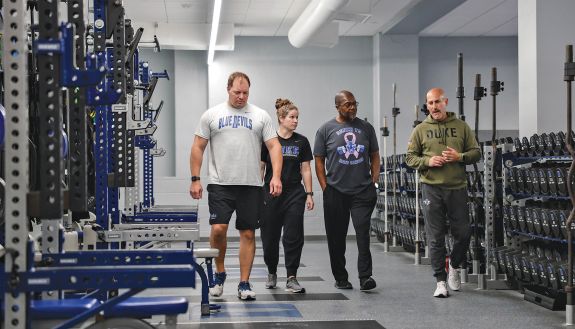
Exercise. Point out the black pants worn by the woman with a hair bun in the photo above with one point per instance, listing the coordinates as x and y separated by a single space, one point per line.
285 211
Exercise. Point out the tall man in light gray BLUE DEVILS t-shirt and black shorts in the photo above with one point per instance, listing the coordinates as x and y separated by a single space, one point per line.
235 130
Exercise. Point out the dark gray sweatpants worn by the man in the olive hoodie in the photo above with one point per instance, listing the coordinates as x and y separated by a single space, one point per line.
439 205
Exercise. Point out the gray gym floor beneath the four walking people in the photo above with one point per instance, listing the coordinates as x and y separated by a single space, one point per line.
402 299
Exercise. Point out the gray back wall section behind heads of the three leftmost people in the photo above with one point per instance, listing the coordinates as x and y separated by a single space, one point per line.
310 77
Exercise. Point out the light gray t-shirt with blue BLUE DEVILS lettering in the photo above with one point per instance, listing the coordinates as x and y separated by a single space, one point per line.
235 140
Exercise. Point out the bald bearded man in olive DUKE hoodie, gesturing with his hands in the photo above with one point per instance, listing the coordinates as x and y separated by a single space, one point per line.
440 148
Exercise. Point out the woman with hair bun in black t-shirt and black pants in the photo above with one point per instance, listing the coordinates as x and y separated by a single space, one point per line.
286 211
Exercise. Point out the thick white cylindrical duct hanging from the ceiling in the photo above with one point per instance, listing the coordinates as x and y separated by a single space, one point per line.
317 15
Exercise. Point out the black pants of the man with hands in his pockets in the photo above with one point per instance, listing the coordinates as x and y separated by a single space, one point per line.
337 208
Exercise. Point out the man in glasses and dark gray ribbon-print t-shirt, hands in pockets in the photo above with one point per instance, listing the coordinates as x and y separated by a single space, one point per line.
347 147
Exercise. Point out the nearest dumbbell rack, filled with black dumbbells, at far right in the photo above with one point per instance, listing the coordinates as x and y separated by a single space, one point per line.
535 214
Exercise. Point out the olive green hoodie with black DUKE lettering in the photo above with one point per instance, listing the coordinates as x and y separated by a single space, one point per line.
432 137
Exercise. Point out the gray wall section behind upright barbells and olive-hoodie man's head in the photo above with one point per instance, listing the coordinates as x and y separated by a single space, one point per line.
438 68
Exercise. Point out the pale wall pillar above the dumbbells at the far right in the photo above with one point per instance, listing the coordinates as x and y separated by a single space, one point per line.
551 23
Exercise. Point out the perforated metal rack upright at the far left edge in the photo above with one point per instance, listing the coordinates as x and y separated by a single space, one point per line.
14 57
